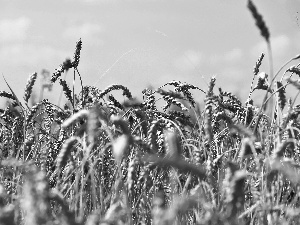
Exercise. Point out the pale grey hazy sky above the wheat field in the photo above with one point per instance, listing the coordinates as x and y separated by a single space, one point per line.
143 43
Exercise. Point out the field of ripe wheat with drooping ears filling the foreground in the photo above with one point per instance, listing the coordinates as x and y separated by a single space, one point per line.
101 159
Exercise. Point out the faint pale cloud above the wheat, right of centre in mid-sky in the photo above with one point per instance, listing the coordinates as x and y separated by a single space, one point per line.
190 60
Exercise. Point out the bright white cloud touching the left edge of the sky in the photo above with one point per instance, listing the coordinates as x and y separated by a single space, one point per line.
14 30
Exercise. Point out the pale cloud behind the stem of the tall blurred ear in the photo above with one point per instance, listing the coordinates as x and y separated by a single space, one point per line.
280 46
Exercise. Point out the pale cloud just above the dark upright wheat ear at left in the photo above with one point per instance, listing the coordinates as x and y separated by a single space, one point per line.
88 32
